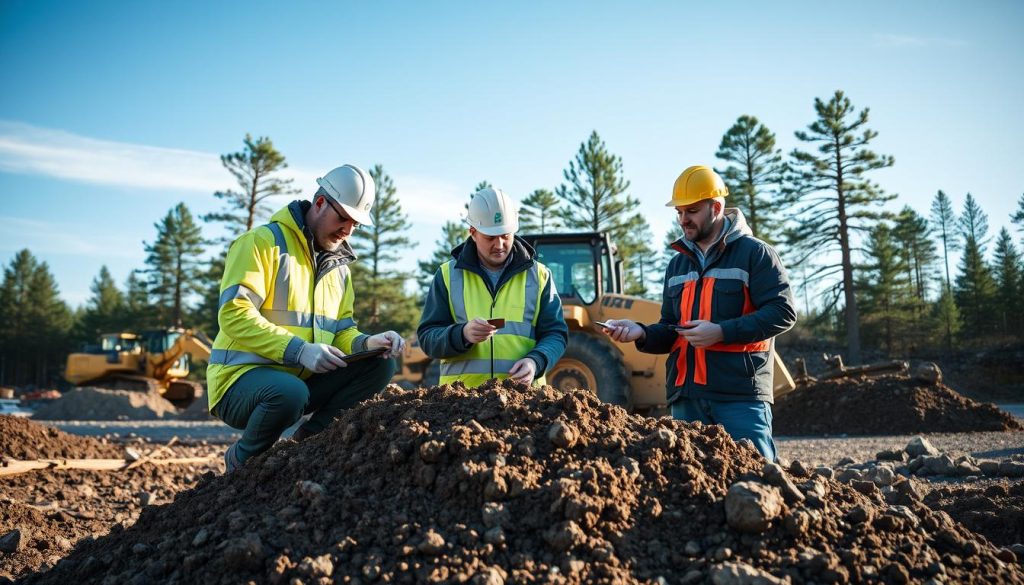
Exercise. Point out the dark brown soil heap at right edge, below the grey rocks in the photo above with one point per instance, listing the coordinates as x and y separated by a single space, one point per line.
996 511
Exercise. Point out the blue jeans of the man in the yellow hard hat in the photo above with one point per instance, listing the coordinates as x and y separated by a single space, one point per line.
744 420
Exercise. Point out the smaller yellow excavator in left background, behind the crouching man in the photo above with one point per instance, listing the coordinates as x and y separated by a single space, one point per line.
157 361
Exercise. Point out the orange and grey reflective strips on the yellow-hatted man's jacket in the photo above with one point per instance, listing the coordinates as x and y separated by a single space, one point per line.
707 284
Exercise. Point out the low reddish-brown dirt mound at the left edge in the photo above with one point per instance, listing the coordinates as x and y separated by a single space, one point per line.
26 440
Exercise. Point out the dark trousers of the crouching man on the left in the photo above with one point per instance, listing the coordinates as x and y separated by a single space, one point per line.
265 402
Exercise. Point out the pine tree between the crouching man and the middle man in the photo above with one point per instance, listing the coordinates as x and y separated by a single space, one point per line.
381 303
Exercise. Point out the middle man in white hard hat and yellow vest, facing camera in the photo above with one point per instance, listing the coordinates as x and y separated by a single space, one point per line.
493 311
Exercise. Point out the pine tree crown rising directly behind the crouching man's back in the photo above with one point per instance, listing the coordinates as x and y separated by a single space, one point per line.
255 170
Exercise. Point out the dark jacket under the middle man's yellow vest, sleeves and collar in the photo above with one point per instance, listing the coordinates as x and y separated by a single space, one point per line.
441 337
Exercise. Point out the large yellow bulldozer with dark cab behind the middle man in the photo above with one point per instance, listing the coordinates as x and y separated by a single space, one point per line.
588 274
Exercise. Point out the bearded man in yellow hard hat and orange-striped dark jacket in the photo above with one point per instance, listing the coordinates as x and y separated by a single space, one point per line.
727 297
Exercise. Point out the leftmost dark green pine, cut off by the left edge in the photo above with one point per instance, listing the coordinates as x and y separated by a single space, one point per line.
36 324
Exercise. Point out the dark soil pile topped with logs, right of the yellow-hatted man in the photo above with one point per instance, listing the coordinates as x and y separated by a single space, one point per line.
890 405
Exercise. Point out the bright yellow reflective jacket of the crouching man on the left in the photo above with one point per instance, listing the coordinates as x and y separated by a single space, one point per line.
272 301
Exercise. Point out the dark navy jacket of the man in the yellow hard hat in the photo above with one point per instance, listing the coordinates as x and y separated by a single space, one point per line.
745 270
